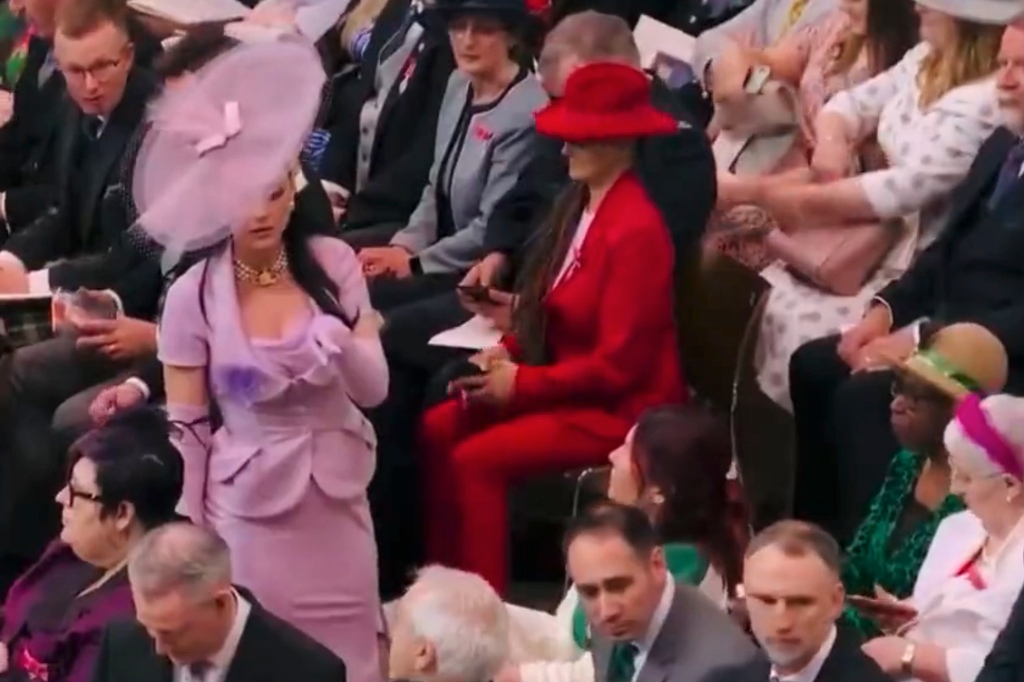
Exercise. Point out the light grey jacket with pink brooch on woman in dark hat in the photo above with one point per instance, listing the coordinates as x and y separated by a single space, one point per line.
497 148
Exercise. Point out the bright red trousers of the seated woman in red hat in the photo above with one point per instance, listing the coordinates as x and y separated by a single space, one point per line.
473 457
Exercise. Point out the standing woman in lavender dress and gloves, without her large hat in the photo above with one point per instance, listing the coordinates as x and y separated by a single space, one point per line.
276 329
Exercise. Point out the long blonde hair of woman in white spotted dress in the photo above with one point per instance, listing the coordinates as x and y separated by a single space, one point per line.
974 58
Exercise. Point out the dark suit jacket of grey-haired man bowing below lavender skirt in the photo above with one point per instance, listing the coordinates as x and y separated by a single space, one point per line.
271 651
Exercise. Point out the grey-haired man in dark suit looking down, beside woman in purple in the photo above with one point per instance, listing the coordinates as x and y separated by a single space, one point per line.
195 626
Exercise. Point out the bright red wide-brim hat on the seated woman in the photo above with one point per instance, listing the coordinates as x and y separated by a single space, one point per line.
605 102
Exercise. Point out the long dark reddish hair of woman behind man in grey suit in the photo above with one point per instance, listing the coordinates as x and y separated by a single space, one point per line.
686 452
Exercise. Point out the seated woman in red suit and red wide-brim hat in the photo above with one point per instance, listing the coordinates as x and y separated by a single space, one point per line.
595 337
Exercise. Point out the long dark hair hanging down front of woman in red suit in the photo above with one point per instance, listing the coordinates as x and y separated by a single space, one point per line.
544 260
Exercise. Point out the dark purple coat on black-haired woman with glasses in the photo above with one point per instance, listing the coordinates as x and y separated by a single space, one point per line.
66 654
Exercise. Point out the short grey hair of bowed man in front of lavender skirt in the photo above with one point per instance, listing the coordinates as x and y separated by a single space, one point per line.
180 558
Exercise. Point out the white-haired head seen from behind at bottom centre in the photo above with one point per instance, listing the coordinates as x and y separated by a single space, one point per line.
450 626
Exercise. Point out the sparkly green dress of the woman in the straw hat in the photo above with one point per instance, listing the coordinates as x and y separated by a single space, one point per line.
874 559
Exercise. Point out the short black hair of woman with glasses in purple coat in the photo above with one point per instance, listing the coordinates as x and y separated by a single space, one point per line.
136 463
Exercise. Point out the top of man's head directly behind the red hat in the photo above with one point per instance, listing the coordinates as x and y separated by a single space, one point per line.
585 38
